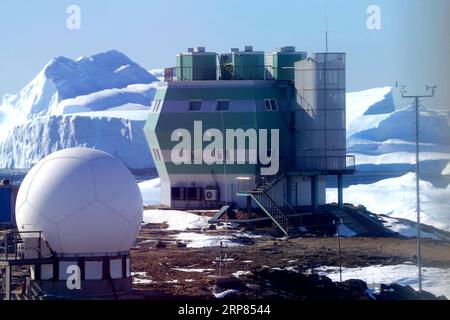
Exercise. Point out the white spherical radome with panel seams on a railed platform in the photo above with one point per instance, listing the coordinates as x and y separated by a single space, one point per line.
83 200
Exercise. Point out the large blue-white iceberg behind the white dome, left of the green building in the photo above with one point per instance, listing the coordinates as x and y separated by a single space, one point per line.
100 101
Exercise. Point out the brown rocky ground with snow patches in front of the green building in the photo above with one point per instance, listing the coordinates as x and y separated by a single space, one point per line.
270 267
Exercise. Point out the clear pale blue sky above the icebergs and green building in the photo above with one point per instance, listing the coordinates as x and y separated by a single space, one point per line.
412 45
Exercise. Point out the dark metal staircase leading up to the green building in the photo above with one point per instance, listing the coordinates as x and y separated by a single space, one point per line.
283 215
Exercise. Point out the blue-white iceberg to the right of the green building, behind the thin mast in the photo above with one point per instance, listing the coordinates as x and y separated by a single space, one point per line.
383 137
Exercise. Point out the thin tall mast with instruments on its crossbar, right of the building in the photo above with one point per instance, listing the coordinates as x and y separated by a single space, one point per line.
417 103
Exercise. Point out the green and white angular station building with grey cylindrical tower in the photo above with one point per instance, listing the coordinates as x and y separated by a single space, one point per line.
251 129
